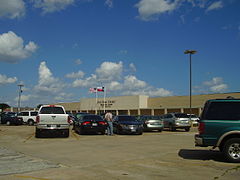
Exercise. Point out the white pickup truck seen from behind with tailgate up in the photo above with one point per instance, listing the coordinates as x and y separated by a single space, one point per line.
52 118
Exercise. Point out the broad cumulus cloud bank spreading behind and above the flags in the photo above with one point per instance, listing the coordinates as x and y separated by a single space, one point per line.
110 75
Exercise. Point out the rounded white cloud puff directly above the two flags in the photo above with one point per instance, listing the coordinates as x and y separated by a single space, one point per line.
109 71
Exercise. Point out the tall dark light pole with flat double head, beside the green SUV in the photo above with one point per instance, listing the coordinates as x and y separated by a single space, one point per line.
190 52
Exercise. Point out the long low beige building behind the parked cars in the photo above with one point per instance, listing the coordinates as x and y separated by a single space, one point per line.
143 105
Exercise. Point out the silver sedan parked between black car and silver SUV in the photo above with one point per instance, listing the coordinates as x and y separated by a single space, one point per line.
151 123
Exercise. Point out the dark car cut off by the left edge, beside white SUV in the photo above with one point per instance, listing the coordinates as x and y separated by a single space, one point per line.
10 118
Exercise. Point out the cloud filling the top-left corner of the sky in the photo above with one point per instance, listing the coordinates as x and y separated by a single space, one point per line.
12 9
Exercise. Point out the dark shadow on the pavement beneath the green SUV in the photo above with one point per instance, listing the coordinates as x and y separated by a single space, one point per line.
204 155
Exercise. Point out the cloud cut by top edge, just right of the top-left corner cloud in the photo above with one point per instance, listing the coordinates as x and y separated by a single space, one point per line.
49 6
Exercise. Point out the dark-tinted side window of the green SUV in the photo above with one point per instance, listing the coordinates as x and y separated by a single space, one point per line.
222 111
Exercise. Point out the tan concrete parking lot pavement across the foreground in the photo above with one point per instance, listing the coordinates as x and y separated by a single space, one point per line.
153 155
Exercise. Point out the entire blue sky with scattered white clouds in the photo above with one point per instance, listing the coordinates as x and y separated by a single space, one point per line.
58 49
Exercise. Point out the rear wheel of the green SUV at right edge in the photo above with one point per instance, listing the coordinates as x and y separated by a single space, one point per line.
231 150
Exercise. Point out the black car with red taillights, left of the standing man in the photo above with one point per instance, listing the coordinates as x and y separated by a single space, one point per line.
90 123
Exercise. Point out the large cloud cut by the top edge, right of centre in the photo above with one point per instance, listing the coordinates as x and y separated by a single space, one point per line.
150 9
